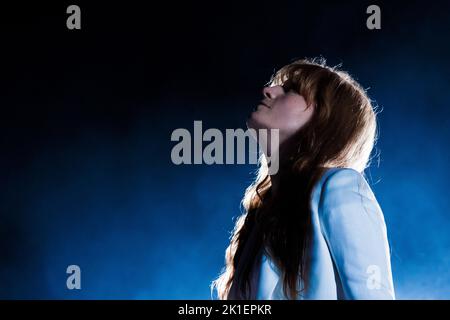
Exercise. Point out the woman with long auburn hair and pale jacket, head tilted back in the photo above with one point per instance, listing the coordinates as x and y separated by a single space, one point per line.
313 229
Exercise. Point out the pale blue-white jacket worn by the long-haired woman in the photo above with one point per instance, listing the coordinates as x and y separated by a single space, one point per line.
350 256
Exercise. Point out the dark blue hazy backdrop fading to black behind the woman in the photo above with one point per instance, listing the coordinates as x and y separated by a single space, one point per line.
86 117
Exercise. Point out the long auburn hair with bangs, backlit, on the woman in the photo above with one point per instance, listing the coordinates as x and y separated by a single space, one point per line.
340 133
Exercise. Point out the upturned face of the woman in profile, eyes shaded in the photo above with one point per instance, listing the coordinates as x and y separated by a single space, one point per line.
280 109
